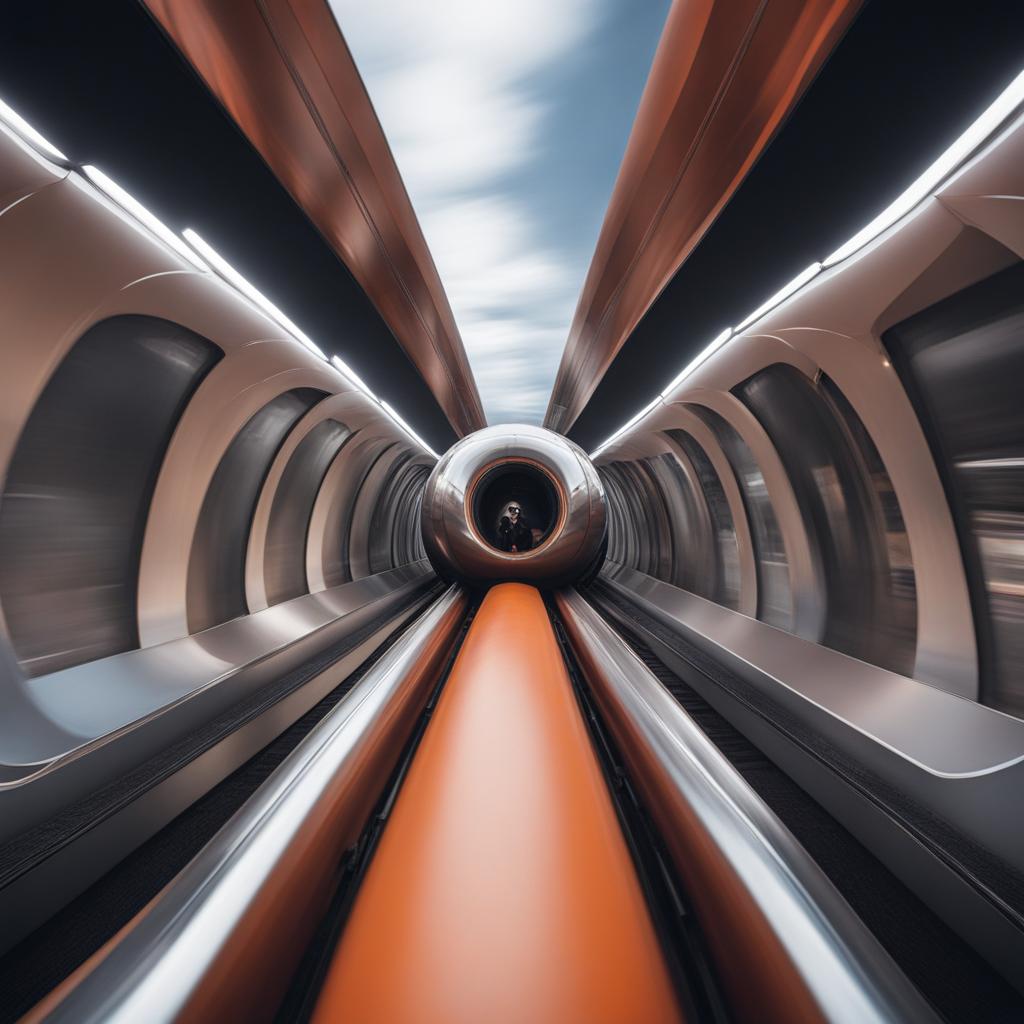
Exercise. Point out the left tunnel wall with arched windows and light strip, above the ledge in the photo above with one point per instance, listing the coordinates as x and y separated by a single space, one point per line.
172 458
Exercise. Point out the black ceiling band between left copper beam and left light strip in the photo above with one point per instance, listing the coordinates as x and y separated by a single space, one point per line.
105 84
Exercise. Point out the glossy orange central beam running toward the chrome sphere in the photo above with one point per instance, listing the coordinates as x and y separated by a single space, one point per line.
502 890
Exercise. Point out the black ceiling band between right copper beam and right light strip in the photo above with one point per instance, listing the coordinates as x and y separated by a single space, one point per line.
903 84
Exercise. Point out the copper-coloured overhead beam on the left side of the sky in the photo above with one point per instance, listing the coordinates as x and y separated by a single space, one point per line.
283 72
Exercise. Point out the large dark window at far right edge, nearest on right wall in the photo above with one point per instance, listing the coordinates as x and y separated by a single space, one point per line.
963 362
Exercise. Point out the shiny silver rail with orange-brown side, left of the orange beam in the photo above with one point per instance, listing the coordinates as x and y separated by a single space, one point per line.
223 940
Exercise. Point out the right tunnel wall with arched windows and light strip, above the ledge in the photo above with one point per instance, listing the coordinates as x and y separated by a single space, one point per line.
847 467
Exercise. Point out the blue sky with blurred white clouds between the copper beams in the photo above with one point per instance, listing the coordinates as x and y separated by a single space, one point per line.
508 122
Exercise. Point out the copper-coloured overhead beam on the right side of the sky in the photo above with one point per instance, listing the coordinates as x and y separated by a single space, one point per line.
724 78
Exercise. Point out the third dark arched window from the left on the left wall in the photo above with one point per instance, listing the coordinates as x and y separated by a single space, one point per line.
285 551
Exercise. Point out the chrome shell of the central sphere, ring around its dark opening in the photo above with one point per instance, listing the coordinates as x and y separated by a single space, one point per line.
456 544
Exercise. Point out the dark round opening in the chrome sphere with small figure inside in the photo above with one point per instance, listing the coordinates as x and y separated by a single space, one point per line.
516 506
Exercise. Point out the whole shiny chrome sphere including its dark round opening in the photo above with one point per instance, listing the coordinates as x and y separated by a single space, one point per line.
515 502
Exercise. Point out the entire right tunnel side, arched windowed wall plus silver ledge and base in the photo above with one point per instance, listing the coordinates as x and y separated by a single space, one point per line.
829 505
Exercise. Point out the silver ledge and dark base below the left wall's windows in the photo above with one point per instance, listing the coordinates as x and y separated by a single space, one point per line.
91 730
